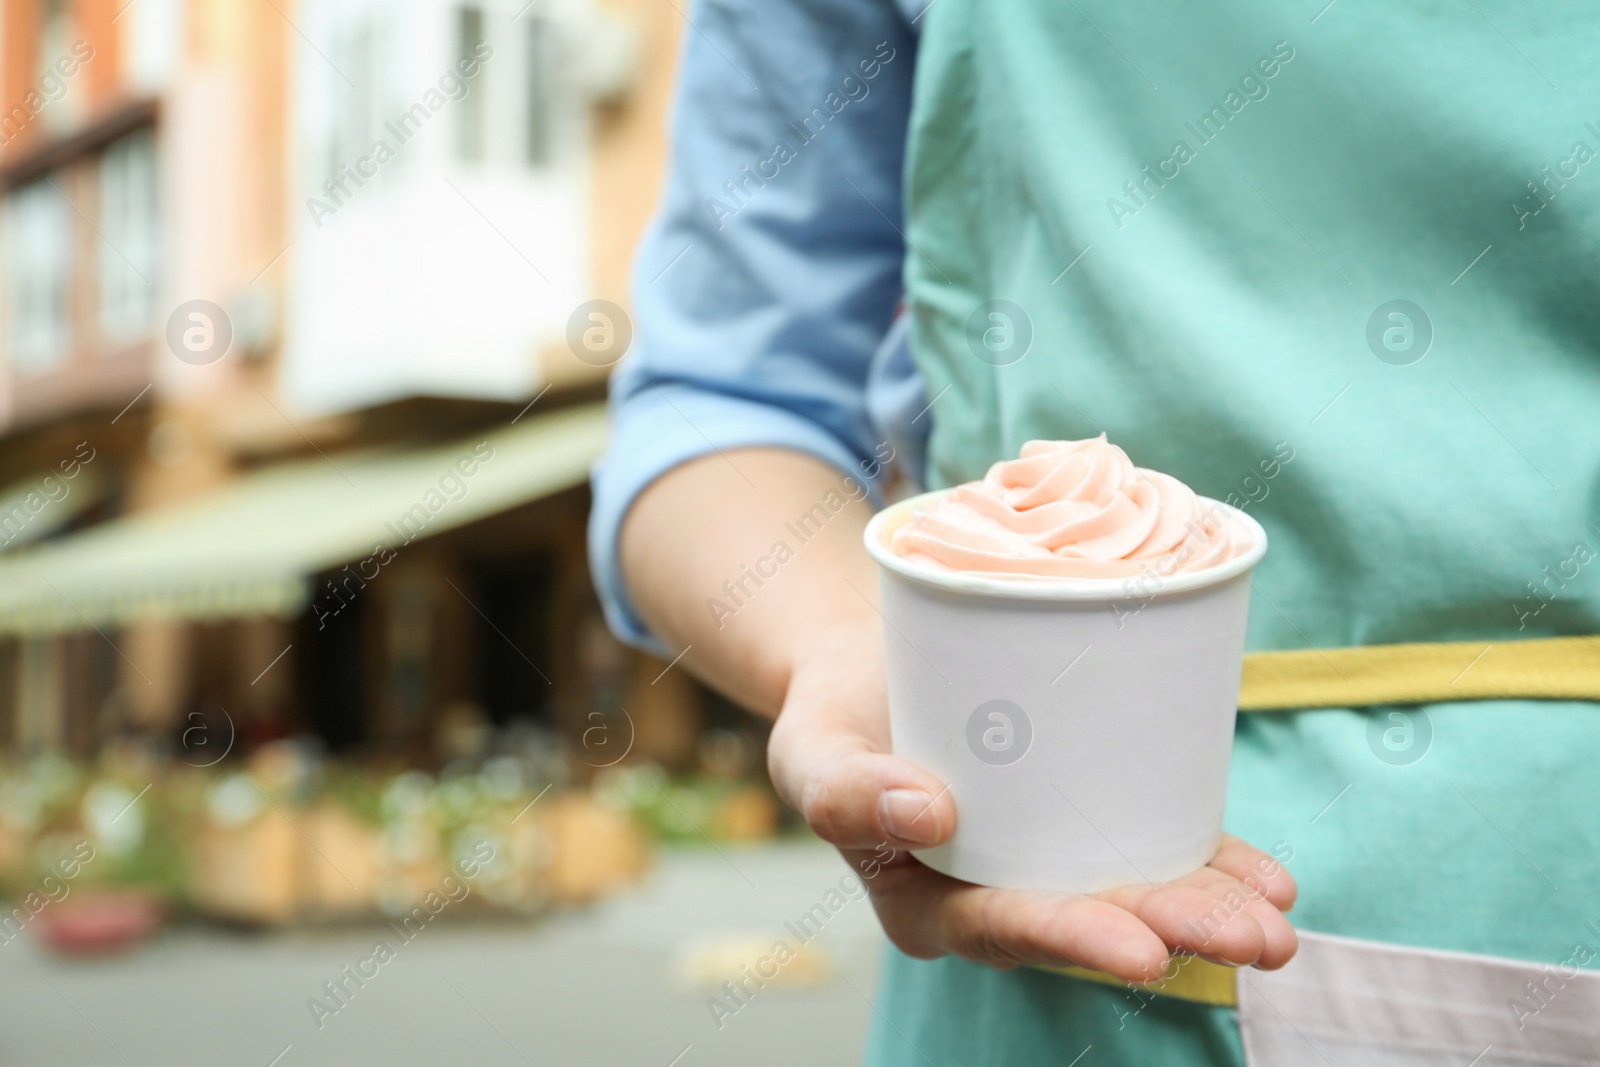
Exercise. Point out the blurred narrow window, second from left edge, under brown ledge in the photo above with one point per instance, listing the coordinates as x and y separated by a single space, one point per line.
129 230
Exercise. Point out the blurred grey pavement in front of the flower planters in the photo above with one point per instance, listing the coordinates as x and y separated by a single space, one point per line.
580 989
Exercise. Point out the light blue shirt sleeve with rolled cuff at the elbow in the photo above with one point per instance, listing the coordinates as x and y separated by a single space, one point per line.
772 273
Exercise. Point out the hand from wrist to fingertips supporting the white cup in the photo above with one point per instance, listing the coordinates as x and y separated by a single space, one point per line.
830 759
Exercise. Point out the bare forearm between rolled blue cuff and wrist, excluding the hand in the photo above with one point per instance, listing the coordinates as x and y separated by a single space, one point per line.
750 559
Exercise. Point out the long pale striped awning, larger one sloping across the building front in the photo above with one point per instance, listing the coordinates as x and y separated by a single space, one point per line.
254 546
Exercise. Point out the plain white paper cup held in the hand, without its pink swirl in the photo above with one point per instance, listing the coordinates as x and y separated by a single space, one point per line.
1084 725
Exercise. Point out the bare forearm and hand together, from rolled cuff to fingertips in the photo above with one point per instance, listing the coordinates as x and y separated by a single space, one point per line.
806 644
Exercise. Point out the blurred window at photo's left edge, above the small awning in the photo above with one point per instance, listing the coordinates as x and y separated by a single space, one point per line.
39 270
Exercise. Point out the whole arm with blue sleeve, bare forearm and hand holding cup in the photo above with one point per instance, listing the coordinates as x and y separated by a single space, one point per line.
738 412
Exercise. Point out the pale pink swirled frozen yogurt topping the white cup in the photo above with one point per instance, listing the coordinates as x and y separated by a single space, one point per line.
1073 510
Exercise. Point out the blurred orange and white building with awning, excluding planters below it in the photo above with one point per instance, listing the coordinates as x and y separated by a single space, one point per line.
306 310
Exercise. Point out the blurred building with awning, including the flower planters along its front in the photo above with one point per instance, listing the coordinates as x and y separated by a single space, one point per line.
306 313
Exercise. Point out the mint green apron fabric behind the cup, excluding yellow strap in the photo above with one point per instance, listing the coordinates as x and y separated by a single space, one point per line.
1231 313
